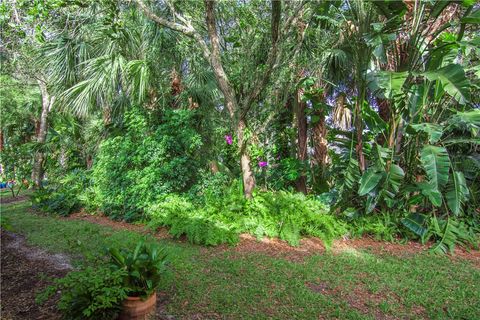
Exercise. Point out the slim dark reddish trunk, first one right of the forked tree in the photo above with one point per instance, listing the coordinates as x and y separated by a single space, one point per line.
301 183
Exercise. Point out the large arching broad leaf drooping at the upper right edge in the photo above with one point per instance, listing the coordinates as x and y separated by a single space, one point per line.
455 83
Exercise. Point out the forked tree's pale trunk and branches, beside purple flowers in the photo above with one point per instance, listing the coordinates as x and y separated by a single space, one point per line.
238 105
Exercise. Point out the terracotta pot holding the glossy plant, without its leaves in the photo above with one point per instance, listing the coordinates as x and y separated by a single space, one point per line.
134 308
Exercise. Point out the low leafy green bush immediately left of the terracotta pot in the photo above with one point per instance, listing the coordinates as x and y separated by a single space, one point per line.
93 293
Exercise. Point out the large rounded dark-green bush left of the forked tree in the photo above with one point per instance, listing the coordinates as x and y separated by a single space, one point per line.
146 162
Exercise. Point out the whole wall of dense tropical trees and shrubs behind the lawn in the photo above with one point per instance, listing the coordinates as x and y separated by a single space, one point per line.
279 119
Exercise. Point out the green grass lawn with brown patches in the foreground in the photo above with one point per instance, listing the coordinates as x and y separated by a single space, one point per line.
210 284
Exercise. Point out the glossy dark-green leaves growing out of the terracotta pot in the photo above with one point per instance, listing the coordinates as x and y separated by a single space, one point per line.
144 267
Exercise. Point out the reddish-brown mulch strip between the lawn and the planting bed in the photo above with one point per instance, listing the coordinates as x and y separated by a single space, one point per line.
281 249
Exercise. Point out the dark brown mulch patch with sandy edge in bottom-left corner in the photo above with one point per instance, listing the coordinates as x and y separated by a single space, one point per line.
24 272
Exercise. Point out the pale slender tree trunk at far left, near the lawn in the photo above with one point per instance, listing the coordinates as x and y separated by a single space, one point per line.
38 169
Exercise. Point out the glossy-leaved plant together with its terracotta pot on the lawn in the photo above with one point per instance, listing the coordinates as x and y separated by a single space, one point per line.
143 273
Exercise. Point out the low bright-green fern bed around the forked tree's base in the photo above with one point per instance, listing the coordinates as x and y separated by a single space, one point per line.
221 219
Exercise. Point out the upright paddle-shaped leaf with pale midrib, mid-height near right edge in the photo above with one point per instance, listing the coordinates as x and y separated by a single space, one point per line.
436 162
